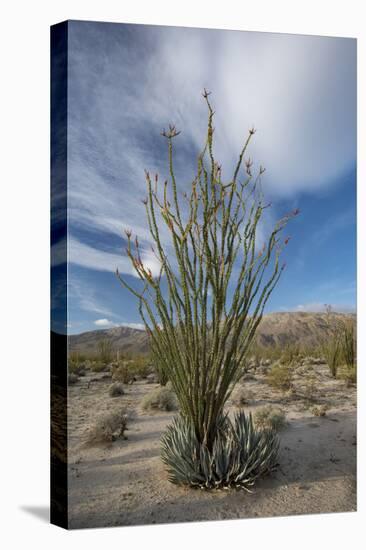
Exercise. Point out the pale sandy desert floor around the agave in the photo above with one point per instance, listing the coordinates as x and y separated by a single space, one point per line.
125 483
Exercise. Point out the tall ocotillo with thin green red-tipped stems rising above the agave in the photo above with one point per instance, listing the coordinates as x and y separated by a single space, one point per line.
214 276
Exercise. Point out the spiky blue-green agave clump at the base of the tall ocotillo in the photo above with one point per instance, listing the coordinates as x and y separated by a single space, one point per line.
240 453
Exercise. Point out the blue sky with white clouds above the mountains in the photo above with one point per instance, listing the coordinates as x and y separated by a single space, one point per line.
127 82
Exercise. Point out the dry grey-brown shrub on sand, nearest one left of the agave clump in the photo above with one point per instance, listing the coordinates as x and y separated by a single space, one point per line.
108 427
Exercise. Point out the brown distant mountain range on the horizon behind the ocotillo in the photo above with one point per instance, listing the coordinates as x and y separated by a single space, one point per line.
275 329
